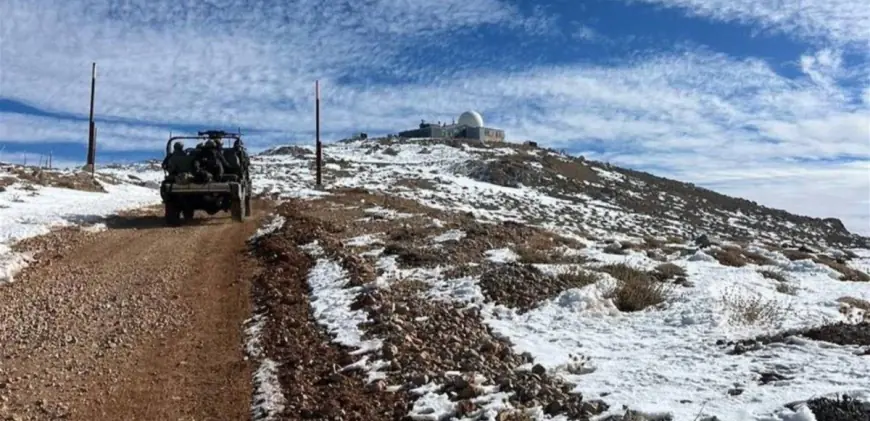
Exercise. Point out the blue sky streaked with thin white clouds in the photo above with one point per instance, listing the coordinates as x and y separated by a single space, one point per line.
764 99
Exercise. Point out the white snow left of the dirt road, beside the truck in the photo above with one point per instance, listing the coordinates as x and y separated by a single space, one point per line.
31 211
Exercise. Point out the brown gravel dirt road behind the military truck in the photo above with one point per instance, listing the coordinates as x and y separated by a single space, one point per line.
138 322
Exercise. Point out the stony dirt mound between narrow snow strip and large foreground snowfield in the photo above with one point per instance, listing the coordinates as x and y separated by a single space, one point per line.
426 350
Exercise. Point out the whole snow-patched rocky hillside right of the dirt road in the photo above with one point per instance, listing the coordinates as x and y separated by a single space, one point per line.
432 280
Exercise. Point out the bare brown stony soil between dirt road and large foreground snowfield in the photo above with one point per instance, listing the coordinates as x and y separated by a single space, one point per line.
420 337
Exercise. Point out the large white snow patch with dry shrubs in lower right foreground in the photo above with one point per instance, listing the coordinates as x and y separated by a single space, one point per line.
673 353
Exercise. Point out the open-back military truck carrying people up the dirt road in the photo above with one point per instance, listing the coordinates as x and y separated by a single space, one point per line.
183 194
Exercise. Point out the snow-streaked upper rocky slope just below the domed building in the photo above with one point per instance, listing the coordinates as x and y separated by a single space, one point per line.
544 186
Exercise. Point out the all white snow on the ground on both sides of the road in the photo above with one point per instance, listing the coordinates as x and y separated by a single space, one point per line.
662 360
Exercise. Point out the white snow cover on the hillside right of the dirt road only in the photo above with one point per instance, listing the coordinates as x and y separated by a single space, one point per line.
671 360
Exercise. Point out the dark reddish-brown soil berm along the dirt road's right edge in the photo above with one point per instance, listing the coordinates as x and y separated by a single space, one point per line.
313 386
